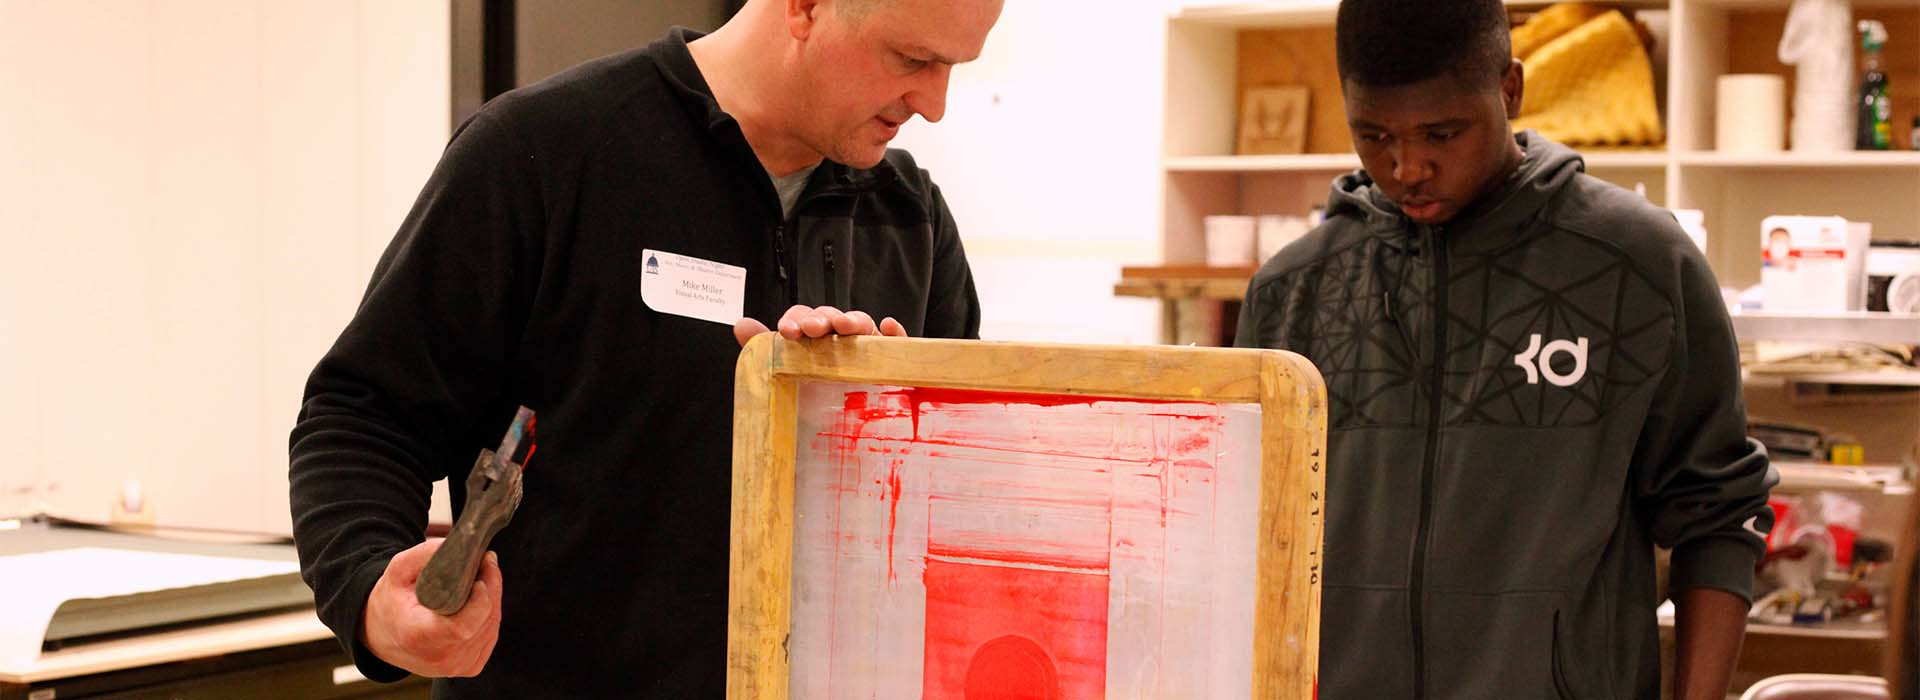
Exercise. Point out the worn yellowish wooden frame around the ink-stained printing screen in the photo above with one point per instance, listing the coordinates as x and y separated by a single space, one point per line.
1293 434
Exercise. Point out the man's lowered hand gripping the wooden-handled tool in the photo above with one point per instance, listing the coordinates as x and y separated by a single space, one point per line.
400 632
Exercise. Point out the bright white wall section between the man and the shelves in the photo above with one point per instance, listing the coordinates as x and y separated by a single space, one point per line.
1049 158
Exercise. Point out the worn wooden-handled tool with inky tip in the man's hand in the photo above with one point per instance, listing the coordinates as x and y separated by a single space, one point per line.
492 496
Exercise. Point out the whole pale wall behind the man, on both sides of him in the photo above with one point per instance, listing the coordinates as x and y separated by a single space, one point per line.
193 195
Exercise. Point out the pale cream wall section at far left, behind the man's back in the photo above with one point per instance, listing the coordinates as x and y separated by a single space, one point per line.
193 195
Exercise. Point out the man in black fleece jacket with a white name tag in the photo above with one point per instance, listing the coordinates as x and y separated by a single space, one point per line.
517 281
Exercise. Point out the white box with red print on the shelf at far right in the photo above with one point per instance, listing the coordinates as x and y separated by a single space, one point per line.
1813 264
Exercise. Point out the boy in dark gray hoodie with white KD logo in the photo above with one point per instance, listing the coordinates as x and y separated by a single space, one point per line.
1533 383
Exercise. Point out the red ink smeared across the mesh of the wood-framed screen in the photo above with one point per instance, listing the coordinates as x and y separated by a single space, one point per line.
1020 509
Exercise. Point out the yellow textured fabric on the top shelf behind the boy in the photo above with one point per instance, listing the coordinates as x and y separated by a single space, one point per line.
1593 87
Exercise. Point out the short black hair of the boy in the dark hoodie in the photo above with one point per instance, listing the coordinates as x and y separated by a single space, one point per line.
1393 43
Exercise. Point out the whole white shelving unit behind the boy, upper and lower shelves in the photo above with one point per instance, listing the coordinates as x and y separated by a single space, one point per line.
1696 43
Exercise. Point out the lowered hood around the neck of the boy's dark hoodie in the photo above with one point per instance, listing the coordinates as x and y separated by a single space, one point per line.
1547 170
